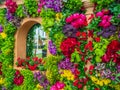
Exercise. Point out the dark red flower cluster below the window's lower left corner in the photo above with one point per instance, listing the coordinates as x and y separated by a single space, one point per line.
18 78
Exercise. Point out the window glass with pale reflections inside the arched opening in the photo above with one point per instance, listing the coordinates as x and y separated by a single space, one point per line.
36 42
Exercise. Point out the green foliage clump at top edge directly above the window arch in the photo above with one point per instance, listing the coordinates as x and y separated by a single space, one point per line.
31 6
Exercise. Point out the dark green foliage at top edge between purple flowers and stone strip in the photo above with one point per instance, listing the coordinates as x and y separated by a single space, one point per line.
73 5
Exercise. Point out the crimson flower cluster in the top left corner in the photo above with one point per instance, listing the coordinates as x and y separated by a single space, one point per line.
12 6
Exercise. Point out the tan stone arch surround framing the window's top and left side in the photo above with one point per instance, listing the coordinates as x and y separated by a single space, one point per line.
20 38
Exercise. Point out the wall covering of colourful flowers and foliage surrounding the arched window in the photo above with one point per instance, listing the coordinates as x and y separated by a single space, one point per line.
84 56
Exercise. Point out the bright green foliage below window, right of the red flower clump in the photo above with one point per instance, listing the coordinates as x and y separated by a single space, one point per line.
28 83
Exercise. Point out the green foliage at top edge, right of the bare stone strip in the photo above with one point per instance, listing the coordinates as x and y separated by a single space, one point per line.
102 3
